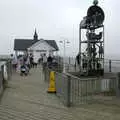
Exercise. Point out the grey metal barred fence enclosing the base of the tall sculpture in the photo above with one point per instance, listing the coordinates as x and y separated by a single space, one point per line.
75 91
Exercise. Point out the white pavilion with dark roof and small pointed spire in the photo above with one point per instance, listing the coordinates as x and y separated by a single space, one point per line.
35 46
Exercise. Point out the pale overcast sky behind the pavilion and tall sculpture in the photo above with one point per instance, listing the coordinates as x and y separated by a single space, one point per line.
55 19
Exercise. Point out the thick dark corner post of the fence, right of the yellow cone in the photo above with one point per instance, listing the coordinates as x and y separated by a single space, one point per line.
68 91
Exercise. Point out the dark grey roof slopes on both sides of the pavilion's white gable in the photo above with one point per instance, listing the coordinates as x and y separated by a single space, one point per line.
23 44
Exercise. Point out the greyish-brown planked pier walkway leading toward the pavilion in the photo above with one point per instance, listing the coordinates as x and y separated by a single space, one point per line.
26 99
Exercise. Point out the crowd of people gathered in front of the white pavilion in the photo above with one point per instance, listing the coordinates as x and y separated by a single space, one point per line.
23 63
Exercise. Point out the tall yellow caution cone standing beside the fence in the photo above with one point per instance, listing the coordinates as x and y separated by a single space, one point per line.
51 88
